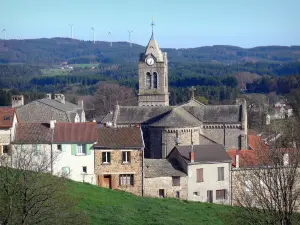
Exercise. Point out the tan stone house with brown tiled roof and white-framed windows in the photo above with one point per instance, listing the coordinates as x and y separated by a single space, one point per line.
119 155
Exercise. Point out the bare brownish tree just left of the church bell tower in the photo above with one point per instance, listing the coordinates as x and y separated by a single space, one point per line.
108 94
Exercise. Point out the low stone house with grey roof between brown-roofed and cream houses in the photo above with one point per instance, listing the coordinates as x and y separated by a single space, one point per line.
164 179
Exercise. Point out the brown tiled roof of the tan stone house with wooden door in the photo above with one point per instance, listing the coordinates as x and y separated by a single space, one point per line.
122 137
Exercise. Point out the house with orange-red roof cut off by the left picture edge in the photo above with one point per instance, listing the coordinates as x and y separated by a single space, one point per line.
8 121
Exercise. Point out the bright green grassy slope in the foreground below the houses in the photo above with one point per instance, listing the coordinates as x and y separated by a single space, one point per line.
105 206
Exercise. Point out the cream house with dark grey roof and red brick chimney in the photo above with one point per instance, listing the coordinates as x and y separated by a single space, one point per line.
208 169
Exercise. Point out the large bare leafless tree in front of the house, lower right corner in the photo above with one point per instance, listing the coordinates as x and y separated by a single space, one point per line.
266 185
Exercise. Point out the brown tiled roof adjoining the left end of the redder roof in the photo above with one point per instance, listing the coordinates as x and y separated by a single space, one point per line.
33 133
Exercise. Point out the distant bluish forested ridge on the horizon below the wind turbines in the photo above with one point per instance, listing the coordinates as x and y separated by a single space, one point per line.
56 50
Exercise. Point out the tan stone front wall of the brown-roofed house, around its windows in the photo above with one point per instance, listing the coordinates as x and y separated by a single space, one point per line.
116 167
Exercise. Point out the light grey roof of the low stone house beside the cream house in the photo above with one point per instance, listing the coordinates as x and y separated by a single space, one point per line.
161 168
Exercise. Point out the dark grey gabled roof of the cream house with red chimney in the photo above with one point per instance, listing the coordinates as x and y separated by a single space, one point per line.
204 153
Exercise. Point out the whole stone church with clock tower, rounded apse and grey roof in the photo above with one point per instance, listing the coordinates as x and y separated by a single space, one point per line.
165 126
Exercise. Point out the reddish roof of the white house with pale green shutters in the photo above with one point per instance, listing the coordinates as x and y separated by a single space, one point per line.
75 133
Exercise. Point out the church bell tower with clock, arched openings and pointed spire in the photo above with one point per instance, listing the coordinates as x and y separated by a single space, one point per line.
153 75
